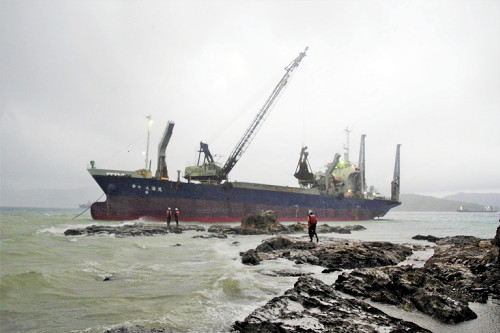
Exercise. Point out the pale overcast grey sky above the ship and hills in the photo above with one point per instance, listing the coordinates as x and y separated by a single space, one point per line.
78 78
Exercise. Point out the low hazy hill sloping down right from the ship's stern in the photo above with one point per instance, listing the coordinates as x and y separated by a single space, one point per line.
416 203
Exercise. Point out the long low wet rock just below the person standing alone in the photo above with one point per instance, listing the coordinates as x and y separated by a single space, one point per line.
333 254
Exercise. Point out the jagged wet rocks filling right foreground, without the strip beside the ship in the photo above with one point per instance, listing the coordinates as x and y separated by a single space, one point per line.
463 269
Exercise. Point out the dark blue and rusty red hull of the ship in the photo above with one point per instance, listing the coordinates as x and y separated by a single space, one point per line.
148 199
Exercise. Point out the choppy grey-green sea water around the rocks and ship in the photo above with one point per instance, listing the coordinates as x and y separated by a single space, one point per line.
53 283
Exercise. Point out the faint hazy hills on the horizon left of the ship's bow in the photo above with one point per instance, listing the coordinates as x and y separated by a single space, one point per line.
49 198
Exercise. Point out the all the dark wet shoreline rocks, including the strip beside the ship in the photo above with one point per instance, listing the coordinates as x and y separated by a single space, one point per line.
462 269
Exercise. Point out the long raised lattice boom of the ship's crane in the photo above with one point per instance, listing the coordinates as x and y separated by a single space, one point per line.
252 130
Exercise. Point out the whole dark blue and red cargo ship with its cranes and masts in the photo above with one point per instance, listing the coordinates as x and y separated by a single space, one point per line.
206 195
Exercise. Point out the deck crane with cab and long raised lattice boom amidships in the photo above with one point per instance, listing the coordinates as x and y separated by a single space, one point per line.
209 171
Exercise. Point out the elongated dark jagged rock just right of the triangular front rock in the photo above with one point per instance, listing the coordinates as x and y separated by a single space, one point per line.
409 288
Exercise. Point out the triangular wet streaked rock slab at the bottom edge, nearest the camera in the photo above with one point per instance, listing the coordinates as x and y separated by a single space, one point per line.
312 306
